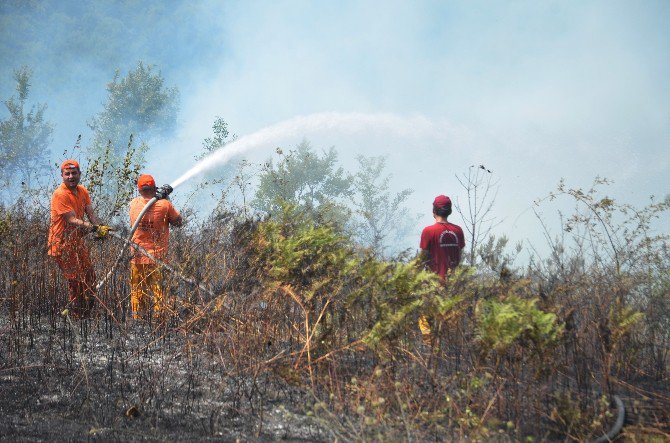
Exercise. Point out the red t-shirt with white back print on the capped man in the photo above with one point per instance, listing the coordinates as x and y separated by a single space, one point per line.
444 242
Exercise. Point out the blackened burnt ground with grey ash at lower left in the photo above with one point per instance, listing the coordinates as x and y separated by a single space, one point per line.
64 380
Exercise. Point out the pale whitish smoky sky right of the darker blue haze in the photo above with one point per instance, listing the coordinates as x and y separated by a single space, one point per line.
536 91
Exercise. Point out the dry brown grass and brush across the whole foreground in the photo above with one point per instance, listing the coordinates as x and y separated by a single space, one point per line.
267 358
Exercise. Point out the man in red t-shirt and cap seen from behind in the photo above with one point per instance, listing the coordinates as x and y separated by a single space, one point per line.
441 245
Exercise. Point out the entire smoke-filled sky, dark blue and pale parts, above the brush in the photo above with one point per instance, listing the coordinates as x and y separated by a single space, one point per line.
494 99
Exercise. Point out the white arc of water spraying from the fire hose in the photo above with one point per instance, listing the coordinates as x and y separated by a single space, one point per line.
345 123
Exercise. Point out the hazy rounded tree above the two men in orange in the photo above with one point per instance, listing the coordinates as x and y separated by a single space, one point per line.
139 104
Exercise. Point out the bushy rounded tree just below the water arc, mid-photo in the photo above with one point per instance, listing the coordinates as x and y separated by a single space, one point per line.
311 181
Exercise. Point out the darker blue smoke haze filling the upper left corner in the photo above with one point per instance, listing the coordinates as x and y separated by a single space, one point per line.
74 50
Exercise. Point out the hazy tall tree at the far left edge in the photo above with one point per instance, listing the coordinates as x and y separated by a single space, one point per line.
24 136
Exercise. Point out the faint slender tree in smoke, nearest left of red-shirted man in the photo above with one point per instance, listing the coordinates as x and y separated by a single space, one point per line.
383 218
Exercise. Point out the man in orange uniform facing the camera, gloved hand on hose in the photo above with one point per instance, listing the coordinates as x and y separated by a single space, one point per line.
70 202
